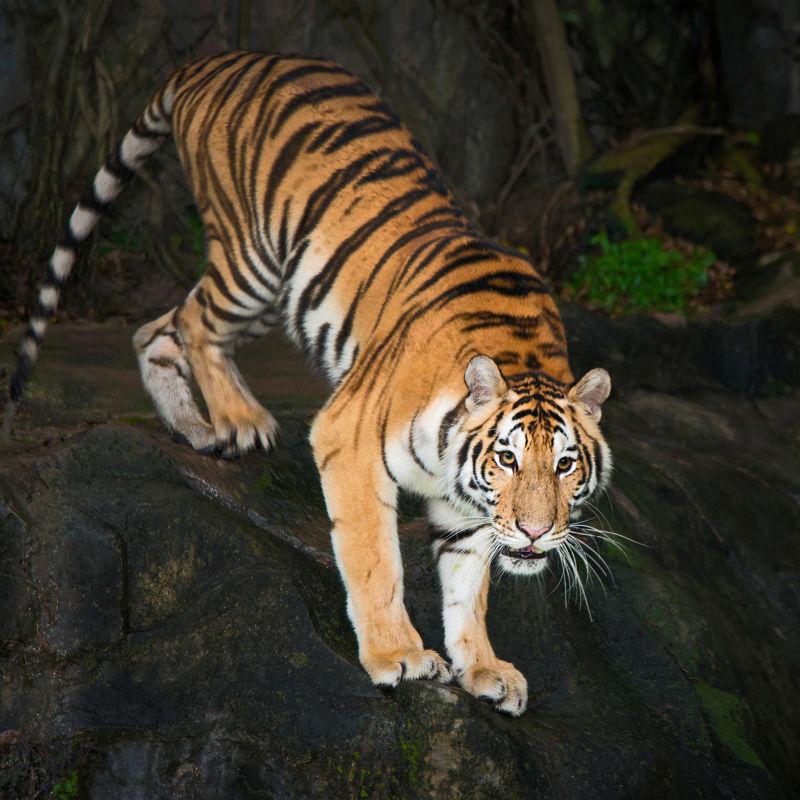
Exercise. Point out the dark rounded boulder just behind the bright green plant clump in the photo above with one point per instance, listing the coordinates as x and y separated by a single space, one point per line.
710 219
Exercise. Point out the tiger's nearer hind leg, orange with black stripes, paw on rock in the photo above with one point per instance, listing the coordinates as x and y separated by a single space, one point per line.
210 323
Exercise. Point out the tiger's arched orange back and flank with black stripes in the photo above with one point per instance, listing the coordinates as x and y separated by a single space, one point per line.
321 208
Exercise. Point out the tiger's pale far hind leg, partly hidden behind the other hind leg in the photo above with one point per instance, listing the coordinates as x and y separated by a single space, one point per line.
166 376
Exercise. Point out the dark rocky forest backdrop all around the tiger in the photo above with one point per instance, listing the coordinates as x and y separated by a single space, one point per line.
172 625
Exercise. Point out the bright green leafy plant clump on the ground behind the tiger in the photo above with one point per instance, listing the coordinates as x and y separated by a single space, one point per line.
636 275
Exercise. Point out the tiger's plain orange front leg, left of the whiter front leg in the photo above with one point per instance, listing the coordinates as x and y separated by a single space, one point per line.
365 545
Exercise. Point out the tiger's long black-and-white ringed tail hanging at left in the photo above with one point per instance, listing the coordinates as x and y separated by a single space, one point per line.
144 138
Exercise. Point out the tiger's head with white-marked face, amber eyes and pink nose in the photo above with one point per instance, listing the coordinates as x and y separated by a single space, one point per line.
531 454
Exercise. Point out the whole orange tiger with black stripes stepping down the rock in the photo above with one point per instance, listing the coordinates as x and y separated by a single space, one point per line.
445 351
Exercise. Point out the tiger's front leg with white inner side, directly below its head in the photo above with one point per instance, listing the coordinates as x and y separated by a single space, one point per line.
464 569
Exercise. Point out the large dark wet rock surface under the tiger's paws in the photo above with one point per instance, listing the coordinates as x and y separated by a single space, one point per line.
173 625
